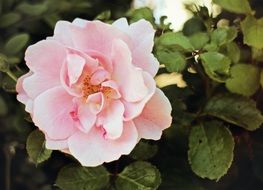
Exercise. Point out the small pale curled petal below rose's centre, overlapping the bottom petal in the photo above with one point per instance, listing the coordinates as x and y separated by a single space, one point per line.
111 118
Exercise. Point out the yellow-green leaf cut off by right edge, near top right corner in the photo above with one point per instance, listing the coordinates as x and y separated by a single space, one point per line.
252 29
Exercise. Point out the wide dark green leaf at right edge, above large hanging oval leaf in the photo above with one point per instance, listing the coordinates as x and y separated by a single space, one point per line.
235 109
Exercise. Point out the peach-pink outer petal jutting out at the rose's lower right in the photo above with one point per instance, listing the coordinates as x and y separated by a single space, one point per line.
155 117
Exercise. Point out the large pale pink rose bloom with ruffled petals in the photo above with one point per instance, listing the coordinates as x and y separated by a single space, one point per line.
90 89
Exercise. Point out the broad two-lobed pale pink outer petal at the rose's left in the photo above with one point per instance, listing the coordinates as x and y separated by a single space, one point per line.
44 59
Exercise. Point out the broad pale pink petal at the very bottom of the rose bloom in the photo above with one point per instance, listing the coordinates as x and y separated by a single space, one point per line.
93 149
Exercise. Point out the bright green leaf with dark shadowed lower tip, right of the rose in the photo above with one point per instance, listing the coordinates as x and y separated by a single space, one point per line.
216 65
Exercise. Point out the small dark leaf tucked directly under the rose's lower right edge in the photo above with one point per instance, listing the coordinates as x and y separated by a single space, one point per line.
144 151
